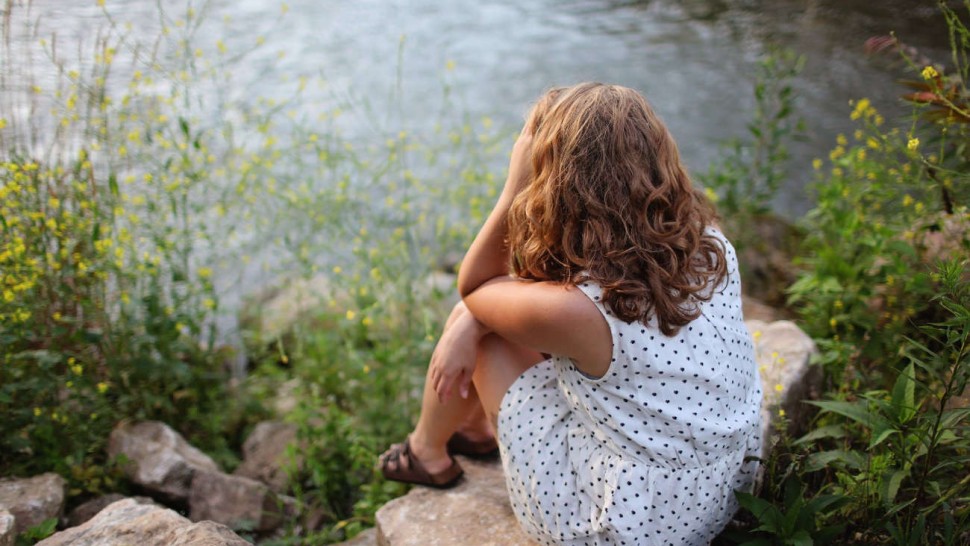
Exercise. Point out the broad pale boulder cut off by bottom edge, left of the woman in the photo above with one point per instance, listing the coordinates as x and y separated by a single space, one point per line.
127 523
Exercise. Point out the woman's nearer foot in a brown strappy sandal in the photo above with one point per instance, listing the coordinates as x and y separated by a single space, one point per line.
413 462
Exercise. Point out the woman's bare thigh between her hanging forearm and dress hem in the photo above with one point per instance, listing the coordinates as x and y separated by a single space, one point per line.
499 363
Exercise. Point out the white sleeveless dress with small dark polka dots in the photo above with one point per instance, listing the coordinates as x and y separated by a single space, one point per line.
648 454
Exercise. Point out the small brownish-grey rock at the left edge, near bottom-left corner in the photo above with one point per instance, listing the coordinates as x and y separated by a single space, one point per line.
31 501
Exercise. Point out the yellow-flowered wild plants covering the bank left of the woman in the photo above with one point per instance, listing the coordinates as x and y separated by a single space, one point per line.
151 195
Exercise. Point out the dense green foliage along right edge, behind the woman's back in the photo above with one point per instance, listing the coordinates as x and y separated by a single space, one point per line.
884 292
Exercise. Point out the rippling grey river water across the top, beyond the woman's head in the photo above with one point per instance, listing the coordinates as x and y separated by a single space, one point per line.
693 59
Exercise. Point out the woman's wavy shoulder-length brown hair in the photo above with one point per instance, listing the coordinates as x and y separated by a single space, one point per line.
610 202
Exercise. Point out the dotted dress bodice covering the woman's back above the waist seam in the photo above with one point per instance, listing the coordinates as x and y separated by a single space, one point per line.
675 401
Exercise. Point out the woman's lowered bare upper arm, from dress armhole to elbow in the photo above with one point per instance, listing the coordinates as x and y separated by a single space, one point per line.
546 317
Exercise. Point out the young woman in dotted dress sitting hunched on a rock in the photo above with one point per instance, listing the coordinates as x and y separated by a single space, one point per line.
612 362
